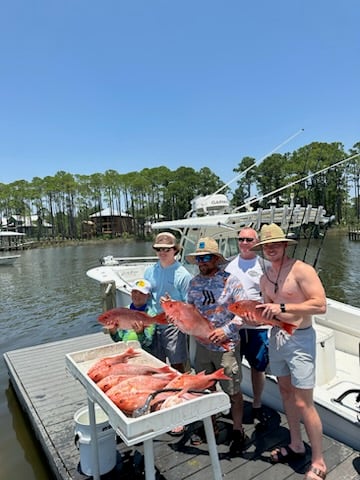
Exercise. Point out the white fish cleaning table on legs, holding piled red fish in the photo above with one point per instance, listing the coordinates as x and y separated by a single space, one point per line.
147 427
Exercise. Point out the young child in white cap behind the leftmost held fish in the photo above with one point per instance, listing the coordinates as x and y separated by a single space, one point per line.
140 296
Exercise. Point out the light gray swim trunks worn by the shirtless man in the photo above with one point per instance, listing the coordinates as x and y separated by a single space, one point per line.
293 355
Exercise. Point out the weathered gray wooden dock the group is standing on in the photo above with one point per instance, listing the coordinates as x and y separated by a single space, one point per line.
50 396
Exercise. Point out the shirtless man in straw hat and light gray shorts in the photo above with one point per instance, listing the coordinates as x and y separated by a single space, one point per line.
293 292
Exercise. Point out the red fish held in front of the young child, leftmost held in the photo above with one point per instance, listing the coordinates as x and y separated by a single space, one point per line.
124 318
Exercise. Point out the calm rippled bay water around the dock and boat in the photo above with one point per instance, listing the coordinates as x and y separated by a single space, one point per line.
46 296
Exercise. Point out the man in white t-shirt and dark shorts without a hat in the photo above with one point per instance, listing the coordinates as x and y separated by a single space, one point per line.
249 268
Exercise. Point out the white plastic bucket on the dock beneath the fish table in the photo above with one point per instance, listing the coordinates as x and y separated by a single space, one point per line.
106 441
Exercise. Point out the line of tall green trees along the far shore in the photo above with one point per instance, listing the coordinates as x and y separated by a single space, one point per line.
67 200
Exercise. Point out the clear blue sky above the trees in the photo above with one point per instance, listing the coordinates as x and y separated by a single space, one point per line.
88 86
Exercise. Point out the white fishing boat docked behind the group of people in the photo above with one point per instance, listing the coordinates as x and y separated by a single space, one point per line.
337 393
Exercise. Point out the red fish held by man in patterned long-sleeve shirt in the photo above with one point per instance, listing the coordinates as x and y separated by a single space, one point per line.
189 320
